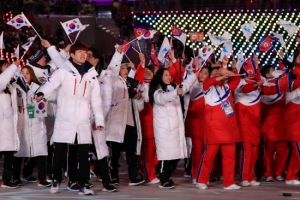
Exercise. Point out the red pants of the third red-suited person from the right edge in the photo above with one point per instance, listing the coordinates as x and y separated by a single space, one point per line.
248 157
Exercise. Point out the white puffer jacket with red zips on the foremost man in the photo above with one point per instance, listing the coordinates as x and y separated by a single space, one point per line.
76 95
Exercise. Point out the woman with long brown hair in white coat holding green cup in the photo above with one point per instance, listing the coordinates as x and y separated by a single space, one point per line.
32 133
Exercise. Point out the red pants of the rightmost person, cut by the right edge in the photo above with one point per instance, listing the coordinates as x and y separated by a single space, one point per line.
294 164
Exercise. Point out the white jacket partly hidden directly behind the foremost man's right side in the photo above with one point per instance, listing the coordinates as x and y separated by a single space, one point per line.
106 96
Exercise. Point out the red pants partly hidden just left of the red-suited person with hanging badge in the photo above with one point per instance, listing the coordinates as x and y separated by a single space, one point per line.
197 151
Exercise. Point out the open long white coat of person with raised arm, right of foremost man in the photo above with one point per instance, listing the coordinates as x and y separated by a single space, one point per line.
117 116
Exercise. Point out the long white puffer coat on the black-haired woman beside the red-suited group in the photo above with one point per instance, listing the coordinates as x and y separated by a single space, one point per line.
168 122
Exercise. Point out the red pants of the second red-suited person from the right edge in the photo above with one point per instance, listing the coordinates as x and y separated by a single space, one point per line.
275 167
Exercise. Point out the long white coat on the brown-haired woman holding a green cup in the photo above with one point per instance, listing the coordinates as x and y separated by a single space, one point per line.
32 132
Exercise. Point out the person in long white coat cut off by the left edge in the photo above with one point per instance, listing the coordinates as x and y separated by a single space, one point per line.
9 141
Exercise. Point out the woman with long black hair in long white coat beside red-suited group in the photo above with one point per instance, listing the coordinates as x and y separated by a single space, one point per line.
168 122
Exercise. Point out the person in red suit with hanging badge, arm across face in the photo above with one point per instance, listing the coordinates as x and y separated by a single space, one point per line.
221 126
